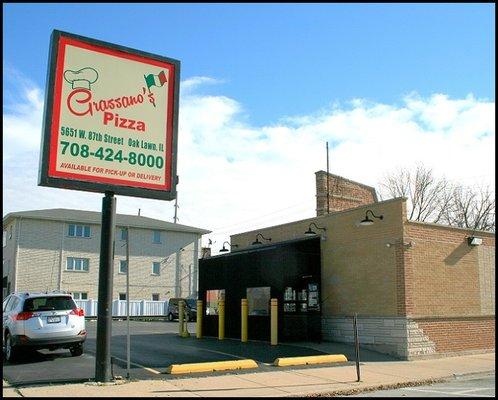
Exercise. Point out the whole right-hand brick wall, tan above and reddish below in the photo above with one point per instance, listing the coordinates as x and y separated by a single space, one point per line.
450 287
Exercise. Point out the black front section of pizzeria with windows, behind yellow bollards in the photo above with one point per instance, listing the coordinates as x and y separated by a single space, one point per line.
288 271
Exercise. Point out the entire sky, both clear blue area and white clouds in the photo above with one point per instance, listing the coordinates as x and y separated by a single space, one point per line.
263 87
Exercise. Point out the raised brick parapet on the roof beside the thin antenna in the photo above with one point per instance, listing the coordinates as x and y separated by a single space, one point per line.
343 193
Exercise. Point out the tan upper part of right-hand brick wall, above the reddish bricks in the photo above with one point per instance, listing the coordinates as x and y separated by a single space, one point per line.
445 274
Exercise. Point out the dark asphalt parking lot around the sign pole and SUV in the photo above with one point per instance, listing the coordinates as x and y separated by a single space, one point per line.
154 347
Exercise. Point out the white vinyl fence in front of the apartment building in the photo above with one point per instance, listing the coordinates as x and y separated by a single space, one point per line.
138 308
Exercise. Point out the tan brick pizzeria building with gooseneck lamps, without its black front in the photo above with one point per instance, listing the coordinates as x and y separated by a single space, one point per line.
419 289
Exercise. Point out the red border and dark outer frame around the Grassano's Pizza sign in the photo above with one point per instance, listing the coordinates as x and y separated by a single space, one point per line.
47 174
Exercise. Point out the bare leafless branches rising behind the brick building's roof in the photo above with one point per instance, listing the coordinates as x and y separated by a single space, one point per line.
432 199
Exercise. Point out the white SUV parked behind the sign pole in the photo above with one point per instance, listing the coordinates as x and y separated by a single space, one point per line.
42 321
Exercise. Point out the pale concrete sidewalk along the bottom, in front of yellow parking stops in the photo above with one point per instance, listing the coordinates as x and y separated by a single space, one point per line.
280 383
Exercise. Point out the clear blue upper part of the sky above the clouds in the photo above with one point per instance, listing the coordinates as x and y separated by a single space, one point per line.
283 59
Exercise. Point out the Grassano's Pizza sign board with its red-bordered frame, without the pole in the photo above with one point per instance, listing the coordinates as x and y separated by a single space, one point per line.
110 120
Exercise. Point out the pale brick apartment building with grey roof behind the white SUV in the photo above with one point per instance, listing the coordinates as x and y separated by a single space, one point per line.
59 249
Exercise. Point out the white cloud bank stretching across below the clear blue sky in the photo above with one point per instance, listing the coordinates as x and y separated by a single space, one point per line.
235 177
